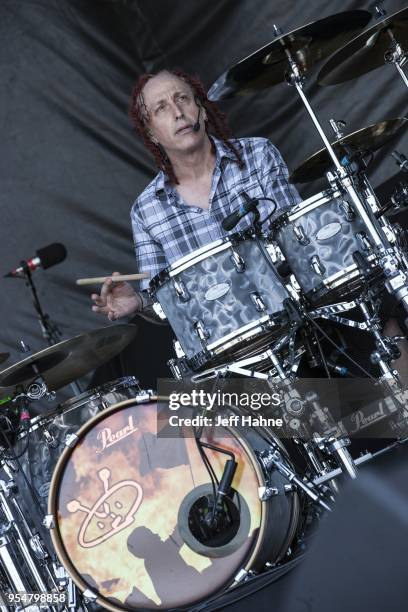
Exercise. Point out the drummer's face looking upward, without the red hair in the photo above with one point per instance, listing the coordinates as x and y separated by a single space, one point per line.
172 113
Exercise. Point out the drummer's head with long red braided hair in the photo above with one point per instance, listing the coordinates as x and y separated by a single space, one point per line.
164 108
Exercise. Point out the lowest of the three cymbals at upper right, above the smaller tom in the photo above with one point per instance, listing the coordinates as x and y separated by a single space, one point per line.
369 138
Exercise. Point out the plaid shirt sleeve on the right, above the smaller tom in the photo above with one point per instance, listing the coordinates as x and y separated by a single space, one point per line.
275 178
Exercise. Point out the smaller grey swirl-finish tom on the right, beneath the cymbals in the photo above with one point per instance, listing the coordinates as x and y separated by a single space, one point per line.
318 238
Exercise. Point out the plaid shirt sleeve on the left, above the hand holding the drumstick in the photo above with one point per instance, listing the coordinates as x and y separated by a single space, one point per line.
150 256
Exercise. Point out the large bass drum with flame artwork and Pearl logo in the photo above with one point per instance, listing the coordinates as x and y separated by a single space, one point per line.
125 507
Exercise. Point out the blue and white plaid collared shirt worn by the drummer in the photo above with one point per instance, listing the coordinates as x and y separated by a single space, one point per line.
166 229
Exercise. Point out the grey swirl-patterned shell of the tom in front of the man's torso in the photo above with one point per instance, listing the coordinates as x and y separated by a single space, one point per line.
227 314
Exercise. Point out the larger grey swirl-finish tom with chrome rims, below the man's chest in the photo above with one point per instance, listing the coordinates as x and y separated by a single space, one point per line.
221 297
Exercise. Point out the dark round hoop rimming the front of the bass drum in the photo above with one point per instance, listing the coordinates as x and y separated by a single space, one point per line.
54 489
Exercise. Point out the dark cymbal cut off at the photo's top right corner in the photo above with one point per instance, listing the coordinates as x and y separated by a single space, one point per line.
366 51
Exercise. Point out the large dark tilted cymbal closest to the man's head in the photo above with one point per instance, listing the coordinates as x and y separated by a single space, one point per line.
308 45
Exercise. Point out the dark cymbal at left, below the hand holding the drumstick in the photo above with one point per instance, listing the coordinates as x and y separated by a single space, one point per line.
66 361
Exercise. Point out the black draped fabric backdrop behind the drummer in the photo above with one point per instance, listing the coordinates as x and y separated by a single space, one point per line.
70 164
